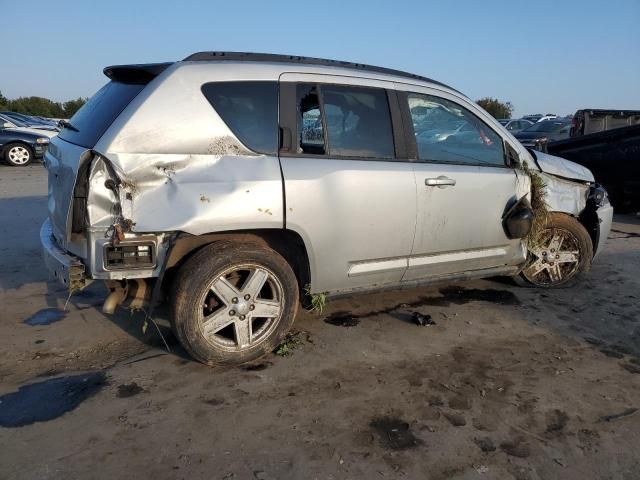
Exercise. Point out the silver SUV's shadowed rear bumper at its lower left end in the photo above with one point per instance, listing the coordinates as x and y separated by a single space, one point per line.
66 268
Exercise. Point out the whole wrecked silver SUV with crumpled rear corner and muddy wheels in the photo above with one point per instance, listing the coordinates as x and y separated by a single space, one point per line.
236 185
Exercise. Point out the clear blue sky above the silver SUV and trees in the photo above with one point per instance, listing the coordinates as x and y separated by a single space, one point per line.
544 56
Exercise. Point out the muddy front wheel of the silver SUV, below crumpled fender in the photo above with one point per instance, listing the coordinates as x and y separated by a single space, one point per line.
563 255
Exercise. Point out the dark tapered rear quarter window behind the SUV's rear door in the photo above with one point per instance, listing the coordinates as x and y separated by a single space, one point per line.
250 110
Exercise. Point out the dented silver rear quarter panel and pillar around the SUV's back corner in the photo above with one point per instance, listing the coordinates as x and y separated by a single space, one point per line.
182 168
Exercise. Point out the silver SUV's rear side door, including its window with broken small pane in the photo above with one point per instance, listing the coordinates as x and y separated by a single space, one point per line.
349 189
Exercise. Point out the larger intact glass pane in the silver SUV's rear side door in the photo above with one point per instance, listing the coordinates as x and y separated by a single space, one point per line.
358 122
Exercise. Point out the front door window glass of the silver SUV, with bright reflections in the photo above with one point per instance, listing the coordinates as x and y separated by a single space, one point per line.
448 133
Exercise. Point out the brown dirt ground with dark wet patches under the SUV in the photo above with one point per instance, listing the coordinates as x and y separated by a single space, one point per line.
509 383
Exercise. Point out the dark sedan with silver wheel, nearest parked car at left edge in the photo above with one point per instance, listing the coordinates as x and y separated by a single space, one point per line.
18 147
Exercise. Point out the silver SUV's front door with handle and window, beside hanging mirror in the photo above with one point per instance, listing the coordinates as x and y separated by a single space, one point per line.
463 189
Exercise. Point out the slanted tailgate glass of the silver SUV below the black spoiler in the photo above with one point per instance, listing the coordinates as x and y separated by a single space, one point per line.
95 116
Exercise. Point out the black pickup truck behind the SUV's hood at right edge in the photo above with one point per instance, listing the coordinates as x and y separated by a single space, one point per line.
607 142
